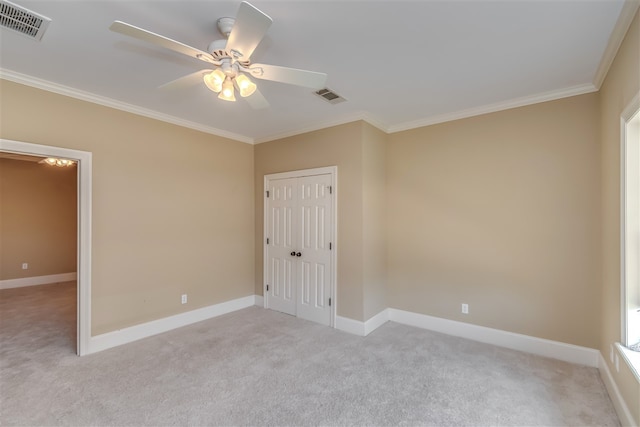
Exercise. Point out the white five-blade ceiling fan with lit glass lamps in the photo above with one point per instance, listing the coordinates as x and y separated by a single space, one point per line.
231 57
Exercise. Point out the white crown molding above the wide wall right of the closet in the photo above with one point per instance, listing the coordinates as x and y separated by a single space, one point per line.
492 108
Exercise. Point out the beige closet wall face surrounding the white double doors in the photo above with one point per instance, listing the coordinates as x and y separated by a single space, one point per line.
339 146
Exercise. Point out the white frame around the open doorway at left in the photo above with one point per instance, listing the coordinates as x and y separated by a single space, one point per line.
84 172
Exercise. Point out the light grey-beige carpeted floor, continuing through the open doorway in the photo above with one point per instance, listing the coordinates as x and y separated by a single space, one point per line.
259 367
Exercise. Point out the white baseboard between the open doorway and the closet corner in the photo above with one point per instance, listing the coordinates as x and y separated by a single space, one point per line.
144 330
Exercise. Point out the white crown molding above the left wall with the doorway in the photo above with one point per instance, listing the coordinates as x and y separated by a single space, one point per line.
118 105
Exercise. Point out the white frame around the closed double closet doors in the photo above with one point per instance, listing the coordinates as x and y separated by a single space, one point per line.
328 170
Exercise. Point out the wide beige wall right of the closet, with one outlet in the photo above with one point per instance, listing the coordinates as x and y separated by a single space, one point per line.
502 212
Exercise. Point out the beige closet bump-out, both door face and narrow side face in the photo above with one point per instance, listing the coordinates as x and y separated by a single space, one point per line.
359 151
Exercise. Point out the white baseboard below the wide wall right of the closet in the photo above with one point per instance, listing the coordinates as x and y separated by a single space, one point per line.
539 346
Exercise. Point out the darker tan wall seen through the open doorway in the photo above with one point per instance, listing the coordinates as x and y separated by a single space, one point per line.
38 213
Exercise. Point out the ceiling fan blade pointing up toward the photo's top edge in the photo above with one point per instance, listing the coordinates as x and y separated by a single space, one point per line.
248 30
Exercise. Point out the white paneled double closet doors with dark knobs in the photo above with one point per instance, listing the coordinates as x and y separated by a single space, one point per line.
299 263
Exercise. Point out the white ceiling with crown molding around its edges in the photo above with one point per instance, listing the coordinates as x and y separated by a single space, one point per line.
400 64
